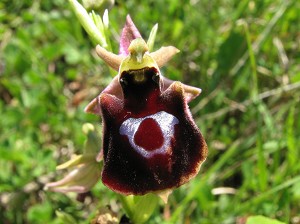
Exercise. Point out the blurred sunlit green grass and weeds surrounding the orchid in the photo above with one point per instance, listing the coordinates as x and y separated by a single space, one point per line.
244 55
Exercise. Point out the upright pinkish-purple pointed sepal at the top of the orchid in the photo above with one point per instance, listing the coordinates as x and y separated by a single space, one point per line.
129 33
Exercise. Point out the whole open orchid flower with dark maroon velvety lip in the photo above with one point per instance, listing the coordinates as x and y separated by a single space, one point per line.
150 140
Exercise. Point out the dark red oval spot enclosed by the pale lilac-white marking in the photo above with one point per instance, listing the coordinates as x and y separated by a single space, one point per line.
149 135
